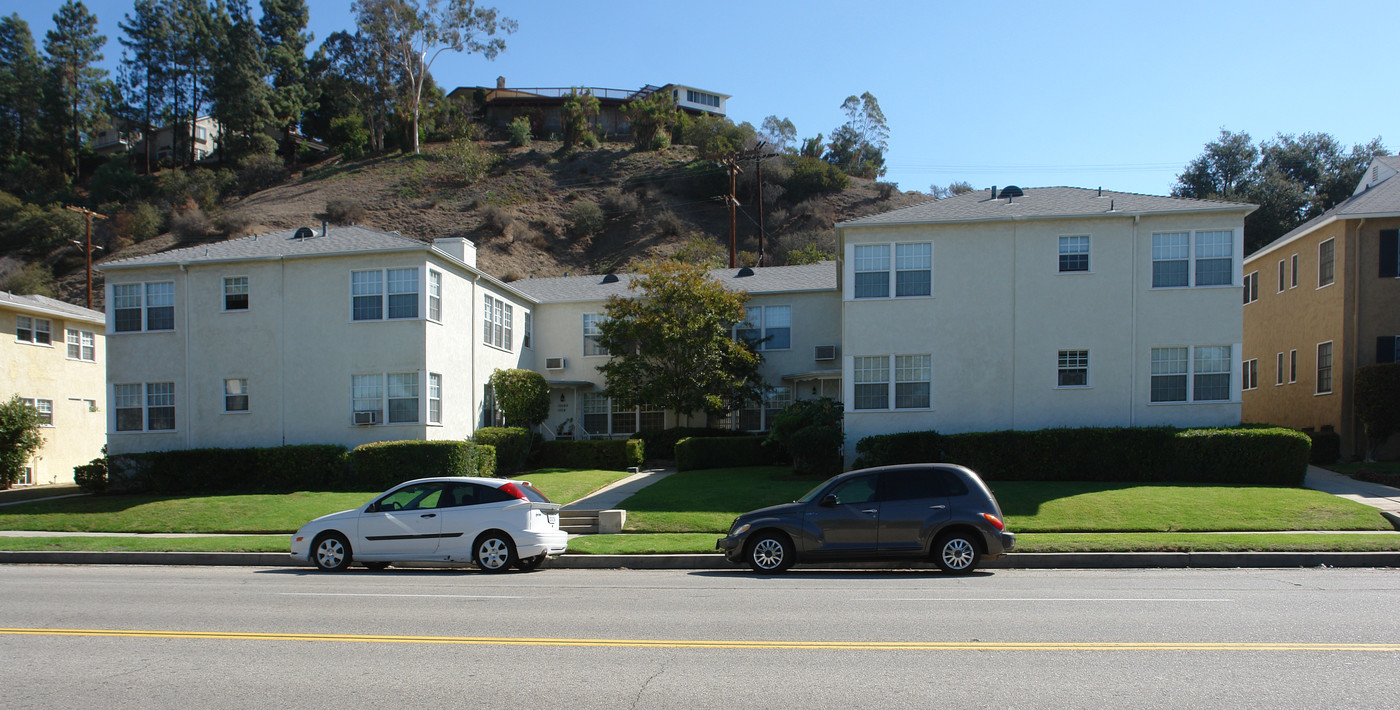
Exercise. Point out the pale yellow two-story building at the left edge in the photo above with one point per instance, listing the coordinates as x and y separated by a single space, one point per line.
55 362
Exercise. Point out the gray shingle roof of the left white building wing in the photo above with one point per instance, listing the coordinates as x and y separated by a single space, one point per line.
338 240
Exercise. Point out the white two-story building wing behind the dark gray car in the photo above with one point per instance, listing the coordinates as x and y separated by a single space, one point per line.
1046 307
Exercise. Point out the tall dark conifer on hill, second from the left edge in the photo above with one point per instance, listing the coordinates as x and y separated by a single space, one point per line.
75 88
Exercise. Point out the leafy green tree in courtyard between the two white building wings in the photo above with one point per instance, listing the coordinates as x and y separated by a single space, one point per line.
673 344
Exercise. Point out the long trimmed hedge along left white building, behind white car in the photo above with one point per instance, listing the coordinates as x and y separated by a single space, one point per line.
313 467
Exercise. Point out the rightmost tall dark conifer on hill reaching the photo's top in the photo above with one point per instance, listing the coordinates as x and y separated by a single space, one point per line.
283 30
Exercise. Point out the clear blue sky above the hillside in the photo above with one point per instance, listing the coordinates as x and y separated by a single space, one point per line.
997 93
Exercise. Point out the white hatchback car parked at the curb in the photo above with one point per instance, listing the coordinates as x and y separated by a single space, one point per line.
493 523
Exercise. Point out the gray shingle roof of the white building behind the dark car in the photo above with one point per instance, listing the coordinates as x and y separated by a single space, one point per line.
1041 204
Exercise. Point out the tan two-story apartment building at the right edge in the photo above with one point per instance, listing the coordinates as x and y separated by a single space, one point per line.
1322 302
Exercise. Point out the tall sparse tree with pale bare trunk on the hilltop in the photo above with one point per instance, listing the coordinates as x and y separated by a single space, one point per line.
412 36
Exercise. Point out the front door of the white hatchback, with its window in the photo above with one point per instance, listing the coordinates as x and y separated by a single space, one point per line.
405 524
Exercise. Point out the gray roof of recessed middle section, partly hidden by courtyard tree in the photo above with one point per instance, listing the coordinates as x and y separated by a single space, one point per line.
765 279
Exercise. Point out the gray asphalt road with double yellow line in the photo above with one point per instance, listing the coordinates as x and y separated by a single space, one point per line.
211 638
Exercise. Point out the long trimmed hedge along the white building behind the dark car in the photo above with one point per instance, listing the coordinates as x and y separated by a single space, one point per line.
1248 456
